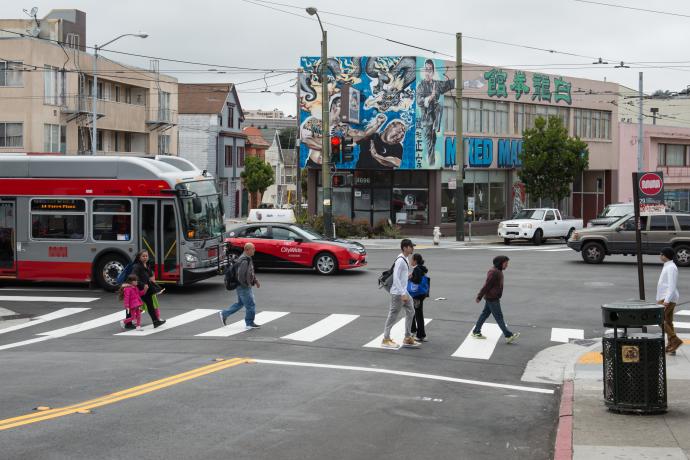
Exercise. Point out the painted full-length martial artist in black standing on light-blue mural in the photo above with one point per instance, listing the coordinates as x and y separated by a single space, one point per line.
430 90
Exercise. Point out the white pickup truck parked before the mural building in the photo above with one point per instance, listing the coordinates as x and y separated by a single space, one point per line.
537 225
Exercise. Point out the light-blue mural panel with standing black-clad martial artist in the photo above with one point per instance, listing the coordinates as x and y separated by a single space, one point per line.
434 81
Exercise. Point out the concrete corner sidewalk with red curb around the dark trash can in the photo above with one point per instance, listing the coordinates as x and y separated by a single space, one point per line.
596 433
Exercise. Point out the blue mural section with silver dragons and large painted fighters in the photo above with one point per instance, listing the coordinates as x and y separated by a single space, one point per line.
386 87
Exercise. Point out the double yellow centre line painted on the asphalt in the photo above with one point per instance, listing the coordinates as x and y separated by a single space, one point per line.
120 395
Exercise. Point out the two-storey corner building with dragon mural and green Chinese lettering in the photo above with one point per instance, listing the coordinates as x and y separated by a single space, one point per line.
402 117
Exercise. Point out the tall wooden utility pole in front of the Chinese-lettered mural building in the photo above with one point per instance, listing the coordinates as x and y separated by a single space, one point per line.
459 145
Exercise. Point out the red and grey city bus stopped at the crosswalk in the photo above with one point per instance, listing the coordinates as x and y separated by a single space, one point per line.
83 218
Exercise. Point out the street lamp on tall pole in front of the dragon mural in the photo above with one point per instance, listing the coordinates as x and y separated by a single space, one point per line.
325 132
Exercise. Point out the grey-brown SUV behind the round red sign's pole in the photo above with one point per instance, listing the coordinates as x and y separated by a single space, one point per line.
658 231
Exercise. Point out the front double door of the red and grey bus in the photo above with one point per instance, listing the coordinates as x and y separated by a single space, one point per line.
158 235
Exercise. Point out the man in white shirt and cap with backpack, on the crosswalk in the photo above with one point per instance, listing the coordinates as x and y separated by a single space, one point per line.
400 298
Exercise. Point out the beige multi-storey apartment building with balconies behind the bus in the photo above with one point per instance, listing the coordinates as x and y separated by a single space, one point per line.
46 83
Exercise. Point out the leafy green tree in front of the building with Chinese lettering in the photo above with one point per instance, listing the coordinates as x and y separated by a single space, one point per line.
551 159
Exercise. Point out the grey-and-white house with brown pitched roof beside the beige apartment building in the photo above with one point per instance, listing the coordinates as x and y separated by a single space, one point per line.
211 137
